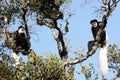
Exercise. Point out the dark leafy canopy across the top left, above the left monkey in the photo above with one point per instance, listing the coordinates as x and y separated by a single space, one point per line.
47 8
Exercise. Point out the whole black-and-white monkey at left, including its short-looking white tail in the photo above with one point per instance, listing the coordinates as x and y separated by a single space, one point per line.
21 45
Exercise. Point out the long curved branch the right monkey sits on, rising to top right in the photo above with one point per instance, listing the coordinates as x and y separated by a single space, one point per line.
109 9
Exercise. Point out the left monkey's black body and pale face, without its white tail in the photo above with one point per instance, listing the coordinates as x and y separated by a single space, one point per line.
21 41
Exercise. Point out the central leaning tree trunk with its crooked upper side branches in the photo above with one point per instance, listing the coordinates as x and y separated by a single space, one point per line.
58 33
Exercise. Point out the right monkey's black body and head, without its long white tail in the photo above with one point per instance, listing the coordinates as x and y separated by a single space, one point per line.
95 28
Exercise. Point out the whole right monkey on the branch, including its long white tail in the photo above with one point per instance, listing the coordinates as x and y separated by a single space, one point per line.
102 43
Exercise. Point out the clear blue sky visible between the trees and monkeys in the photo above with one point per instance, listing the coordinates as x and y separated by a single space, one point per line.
79 32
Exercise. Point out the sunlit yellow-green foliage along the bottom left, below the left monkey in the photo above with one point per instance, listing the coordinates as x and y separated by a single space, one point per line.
36 68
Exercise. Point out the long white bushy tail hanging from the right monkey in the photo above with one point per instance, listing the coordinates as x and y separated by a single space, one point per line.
103 60
